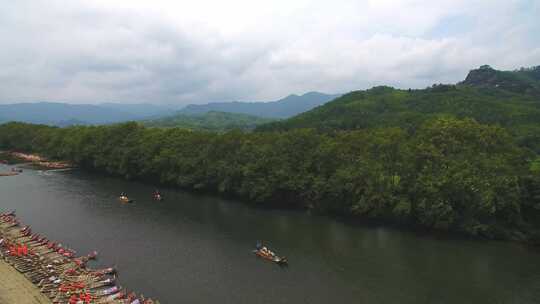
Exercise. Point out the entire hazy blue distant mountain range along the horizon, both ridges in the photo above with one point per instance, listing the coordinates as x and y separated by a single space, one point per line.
64 114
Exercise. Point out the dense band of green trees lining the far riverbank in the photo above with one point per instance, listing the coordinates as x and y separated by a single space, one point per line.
449 174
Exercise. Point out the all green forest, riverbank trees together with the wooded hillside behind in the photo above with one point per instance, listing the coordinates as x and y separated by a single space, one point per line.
457 158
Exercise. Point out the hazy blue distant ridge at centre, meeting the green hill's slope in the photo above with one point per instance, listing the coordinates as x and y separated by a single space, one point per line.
283 108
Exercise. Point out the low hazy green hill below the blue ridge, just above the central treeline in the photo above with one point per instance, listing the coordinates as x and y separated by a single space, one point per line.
210 121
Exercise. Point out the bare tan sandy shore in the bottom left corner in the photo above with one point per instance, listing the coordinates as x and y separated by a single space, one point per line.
15 288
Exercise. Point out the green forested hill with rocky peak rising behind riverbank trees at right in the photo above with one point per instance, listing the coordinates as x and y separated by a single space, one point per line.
495 97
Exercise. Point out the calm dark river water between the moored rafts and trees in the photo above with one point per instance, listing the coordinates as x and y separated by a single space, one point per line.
197 249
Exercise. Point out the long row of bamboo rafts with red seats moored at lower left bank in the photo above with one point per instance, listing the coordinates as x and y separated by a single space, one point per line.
56 271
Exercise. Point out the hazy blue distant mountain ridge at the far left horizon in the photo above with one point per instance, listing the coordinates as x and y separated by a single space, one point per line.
63 114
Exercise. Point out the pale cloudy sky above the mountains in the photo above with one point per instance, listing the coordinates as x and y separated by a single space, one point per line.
181 52
